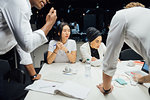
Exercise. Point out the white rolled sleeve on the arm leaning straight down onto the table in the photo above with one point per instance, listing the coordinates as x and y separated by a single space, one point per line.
114 43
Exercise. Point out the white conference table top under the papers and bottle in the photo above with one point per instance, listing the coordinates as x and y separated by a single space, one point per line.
54 72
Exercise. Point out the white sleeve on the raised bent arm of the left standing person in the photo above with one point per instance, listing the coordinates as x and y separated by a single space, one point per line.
17 16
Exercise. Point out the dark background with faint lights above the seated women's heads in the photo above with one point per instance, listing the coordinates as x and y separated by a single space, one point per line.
96 13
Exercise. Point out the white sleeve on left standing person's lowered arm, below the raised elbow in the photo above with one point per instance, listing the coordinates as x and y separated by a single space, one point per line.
25 58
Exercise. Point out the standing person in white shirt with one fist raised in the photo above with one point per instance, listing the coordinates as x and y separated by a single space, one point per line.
15 28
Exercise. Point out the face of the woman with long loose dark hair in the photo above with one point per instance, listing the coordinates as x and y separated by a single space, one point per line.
65 32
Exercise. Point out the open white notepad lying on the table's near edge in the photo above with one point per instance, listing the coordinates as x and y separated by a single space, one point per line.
68 88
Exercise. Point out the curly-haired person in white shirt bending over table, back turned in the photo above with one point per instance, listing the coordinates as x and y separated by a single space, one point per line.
130 25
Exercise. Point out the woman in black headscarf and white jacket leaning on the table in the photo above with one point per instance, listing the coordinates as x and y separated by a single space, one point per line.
94 49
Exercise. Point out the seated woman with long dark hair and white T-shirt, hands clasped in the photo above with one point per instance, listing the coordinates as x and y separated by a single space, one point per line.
62 49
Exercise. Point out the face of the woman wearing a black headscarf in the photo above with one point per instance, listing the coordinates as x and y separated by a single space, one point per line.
96 42
